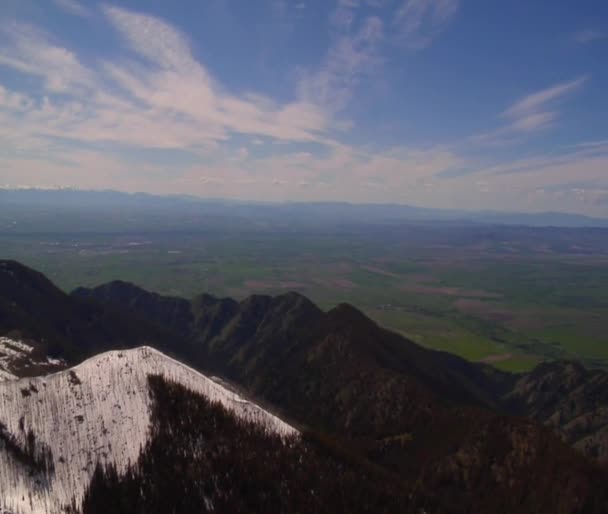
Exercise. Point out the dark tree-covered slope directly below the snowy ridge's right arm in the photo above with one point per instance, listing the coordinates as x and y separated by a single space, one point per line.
200 459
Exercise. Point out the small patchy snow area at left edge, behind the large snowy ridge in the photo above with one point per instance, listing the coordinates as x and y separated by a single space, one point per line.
16 357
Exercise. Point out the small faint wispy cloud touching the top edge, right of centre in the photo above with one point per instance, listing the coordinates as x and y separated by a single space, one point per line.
418 22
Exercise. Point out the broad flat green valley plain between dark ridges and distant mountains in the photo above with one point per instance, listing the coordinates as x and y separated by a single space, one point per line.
507 302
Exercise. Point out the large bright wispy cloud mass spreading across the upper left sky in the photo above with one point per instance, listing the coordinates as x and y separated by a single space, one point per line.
161 98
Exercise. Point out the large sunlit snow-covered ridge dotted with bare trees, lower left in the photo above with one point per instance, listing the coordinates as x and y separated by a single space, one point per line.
98 411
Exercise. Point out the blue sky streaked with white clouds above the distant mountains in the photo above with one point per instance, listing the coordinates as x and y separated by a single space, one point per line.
465 104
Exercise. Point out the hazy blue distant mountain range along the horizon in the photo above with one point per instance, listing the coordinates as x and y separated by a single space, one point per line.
14 201
